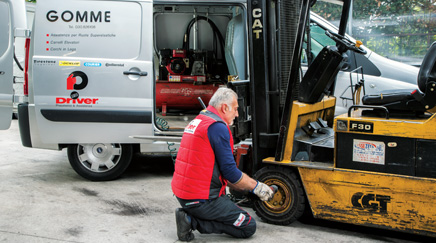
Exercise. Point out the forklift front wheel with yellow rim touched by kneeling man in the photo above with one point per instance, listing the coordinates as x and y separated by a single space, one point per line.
288 203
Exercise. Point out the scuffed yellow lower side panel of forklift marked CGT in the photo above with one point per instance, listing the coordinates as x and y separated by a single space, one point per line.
374 199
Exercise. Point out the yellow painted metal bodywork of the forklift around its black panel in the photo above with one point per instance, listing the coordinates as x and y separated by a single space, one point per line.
376 199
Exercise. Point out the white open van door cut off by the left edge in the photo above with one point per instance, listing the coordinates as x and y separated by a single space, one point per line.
12 16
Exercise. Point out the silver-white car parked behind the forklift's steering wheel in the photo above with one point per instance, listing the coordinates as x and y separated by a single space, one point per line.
379 73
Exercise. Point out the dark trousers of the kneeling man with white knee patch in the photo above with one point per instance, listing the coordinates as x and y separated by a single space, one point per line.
220 215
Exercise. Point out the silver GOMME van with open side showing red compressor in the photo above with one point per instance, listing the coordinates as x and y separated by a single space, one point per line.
106 78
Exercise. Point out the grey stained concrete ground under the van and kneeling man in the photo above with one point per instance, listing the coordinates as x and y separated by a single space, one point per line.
43 200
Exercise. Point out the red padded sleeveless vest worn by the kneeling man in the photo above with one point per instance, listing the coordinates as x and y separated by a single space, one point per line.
196 174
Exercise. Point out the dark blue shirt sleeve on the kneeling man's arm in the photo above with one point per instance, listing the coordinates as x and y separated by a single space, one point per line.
219 139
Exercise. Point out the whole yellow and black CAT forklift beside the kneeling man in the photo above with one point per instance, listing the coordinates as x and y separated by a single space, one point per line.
374 166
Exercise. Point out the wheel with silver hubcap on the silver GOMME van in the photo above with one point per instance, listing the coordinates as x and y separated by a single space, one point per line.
100 161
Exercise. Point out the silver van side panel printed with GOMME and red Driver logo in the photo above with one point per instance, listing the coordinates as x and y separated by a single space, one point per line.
91 72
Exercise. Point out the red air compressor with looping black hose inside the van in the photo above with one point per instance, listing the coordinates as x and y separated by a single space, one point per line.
186 74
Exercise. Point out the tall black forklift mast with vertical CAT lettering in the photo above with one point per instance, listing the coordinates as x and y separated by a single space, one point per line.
276 34
